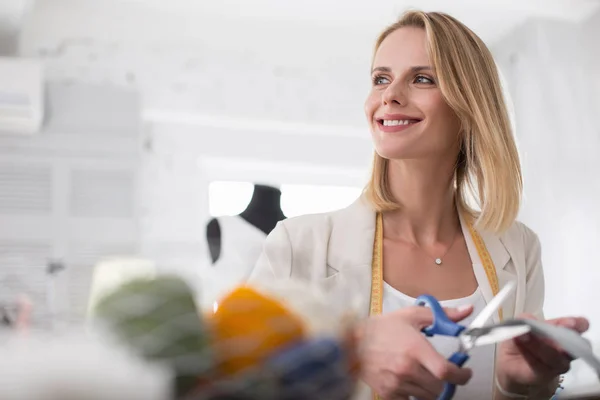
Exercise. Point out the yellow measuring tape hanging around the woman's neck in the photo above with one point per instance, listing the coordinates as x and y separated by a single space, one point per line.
377 267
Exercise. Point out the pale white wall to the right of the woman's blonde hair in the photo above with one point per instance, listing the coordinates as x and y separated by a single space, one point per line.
553 73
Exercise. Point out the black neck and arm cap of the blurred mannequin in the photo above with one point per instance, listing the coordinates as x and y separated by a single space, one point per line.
263 212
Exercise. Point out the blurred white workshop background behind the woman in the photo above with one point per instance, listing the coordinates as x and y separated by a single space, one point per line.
134 133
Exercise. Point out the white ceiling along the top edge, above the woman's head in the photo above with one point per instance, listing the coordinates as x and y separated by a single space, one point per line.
489 18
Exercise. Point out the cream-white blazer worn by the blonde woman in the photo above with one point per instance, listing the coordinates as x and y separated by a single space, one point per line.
334 252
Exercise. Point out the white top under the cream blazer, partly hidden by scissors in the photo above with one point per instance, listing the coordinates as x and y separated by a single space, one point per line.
481 359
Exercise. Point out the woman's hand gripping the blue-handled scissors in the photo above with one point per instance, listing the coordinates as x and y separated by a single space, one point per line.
397 360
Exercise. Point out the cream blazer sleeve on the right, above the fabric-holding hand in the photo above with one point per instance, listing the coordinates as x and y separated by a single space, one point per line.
534 298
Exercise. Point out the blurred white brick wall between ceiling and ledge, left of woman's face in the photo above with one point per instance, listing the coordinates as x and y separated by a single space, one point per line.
189 64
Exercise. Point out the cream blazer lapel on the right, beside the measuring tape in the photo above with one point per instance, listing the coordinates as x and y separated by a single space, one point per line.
498 253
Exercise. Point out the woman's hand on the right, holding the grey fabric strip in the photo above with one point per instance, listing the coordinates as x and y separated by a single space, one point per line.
530 364
